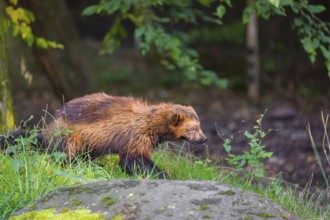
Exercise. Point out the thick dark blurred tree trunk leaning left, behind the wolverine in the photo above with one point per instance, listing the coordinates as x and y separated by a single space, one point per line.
68 71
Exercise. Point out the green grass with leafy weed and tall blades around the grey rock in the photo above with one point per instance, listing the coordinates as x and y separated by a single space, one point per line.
26 174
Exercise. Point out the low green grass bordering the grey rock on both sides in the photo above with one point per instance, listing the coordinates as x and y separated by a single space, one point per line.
28 175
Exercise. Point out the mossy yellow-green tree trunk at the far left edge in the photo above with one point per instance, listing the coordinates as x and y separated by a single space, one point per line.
7 120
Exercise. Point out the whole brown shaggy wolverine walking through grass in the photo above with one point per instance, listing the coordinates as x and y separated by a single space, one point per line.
101 124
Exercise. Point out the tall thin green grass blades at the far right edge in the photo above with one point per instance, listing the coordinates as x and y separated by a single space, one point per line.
325 148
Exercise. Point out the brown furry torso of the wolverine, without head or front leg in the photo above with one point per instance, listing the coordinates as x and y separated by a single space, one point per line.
99 122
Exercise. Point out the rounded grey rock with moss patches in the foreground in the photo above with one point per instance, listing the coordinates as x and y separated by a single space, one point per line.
160 199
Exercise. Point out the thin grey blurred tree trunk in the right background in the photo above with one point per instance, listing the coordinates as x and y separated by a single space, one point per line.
253 62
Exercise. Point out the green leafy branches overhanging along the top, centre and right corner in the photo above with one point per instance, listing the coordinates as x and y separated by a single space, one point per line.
159 26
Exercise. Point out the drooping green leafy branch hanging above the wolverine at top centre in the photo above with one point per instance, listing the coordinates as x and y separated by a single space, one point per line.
153 27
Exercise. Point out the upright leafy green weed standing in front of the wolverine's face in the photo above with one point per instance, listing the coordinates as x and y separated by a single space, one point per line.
251 160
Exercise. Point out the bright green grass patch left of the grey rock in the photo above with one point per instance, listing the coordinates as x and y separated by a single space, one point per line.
27 175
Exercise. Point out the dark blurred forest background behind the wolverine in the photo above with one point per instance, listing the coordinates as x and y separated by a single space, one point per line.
291 91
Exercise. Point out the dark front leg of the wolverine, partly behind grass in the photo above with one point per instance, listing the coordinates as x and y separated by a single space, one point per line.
141 165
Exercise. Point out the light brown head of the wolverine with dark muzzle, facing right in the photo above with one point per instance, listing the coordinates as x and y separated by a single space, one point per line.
185 125
